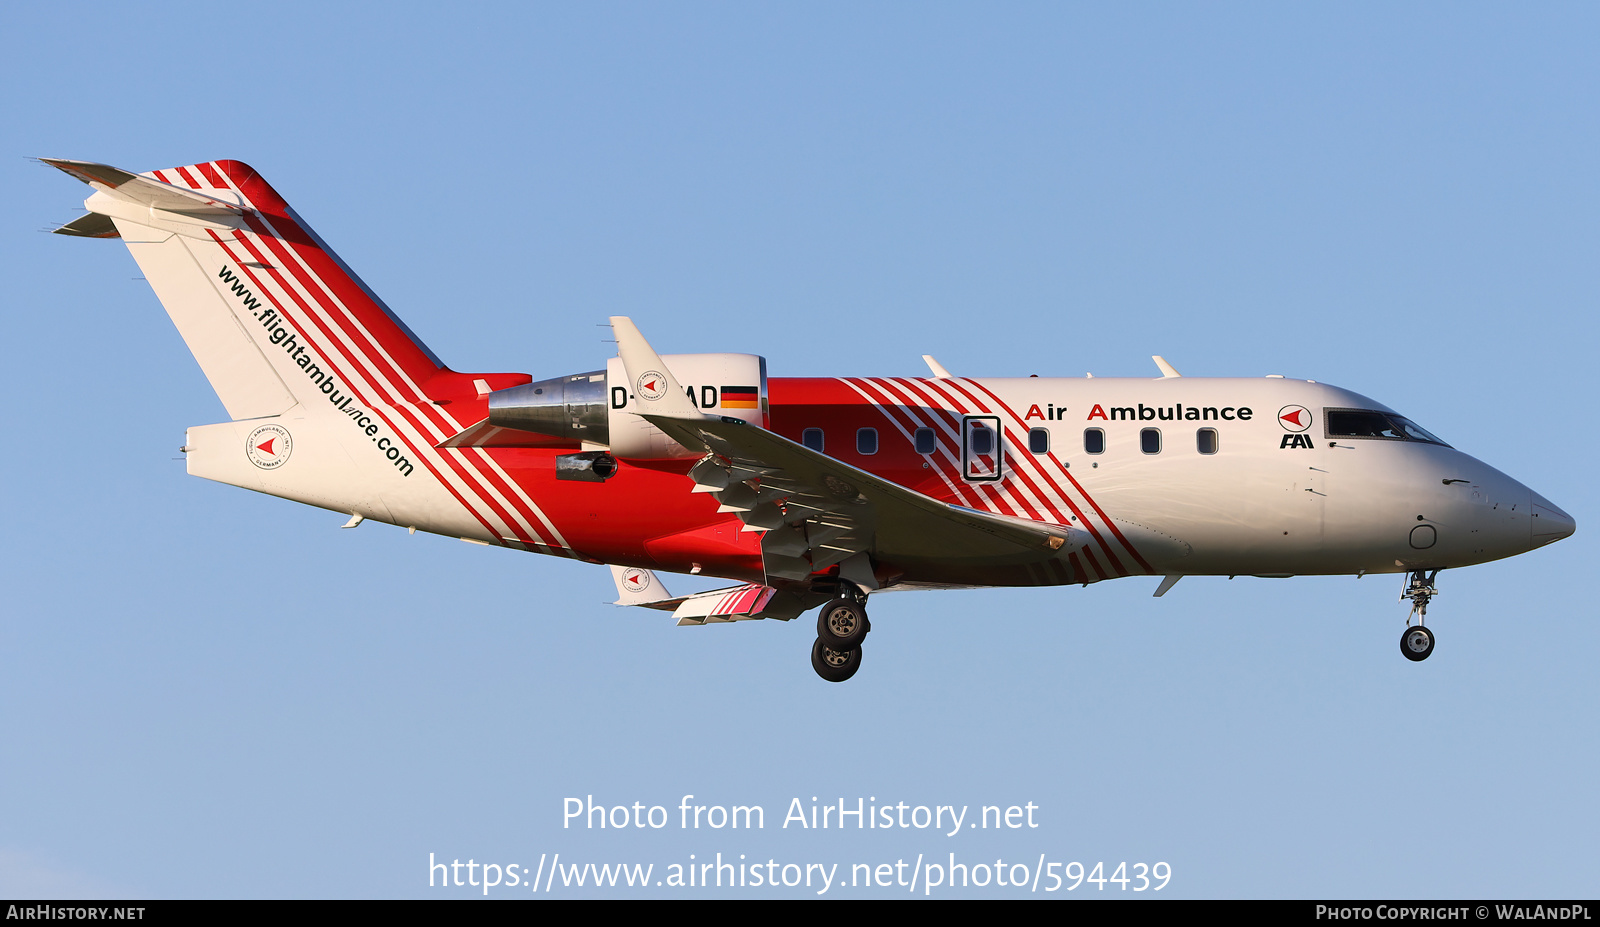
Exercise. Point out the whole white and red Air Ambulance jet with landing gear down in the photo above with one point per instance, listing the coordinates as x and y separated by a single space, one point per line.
806 491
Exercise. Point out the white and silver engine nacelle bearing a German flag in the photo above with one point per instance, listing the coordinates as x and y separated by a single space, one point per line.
596 409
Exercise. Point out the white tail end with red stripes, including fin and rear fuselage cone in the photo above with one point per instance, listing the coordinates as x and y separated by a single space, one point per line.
335 403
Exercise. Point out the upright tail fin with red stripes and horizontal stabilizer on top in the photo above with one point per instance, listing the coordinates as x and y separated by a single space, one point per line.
268 310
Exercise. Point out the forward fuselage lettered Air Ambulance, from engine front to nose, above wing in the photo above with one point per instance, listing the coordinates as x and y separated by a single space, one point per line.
1258 496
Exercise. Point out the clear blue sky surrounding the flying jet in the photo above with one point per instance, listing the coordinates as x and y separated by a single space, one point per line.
207 692
